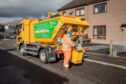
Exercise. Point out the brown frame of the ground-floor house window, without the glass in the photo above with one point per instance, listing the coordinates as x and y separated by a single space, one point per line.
98 35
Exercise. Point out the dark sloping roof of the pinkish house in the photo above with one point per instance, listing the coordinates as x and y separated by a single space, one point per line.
78 3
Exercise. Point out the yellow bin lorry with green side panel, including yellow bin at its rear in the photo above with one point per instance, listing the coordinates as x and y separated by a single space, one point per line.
40 37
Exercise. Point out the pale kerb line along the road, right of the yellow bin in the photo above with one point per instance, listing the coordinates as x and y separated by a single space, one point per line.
105 63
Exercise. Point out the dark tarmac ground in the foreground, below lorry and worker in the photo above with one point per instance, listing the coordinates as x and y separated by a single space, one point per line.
17 69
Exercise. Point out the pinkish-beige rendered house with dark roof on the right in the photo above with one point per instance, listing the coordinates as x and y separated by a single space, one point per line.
107 19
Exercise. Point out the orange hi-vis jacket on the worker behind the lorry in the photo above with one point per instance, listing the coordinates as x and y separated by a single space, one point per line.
67 43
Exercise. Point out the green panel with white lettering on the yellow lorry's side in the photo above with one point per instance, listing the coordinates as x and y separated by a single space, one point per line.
45 30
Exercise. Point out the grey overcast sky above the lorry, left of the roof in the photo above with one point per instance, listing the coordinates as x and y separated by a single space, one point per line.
32 8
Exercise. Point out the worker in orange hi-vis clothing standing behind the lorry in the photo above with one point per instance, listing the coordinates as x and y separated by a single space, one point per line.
67 45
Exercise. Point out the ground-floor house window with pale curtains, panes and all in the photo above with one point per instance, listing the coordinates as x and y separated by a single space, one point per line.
99 32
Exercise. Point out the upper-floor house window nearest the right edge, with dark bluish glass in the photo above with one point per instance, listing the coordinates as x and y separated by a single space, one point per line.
100 8
